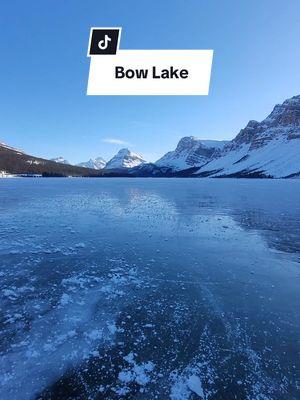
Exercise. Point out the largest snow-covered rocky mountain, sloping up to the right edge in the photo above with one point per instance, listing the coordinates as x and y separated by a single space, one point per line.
268 148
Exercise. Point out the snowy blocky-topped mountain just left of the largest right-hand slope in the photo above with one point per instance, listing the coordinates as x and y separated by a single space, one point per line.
191 152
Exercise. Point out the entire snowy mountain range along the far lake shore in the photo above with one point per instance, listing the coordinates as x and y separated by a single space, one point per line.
270 148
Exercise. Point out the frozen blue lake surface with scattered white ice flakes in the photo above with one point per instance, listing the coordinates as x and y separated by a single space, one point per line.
149 289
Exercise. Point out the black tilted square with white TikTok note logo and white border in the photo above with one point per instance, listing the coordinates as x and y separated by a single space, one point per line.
104 41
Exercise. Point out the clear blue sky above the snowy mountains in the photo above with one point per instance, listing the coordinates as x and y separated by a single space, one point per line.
44 69
